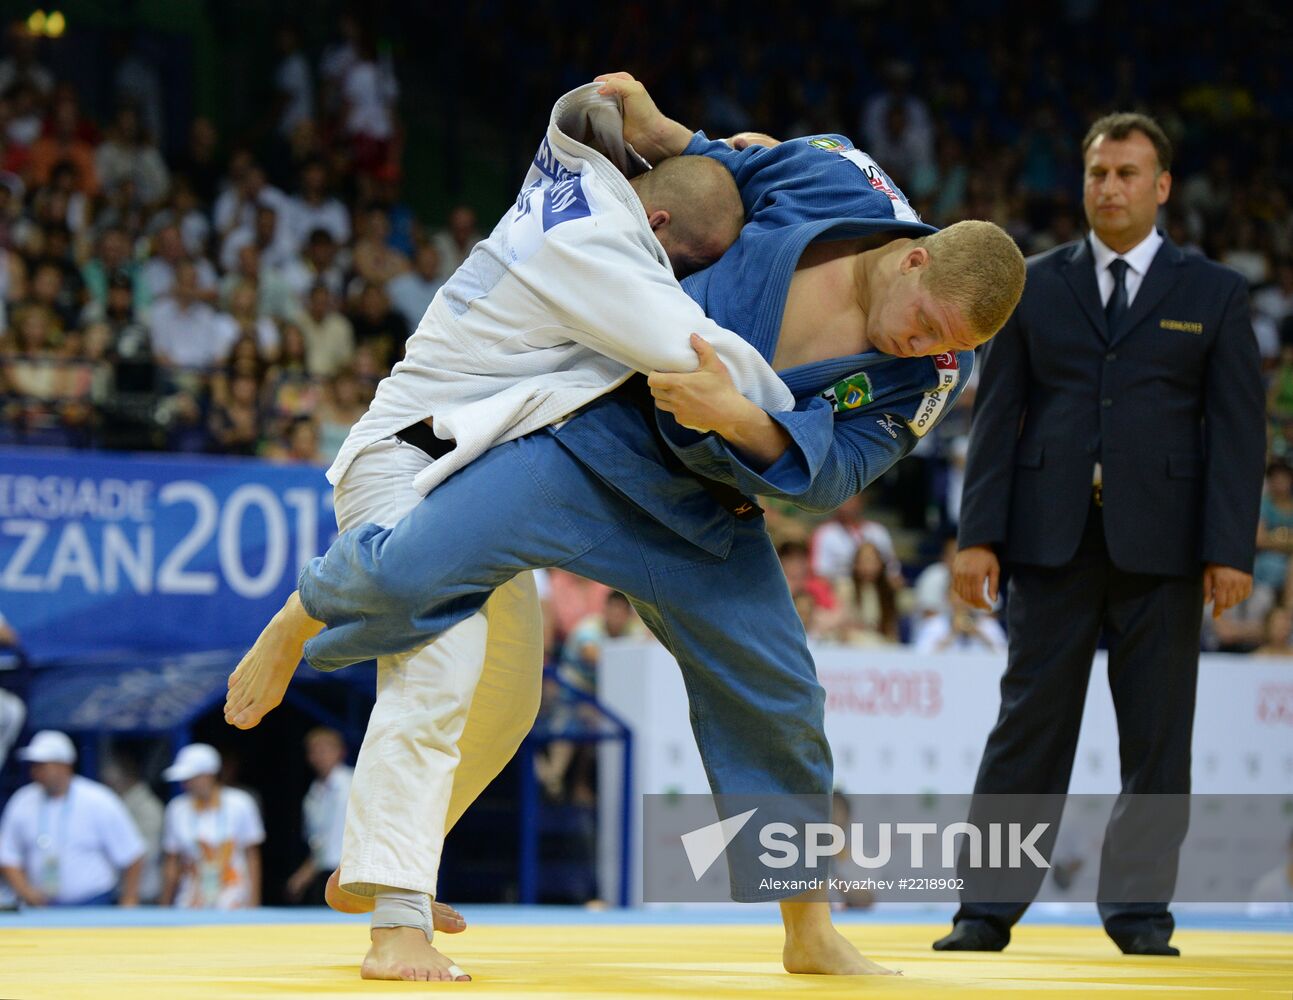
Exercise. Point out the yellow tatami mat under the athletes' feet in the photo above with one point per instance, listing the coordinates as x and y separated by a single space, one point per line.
711 961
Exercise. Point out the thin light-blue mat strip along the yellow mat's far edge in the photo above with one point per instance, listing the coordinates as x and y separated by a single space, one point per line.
495 915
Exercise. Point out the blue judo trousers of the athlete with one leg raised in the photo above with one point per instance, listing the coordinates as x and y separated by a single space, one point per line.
756 703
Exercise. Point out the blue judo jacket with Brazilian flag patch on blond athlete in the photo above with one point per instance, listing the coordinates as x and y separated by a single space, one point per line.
855 416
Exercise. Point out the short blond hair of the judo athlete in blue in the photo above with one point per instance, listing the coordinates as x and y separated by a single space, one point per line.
976 267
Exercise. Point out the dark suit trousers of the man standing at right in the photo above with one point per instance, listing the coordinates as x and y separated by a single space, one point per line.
1151 624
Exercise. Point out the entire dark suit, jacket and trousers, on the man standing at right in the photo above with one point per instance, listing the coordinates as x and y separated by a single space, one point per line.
1172 406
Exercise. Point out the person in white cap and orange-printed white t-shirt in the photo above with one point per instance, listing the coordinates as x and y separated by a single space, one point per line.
211 838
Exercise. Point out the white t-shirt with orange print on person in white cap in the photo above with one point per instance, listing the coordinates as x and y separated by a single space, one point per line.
213 848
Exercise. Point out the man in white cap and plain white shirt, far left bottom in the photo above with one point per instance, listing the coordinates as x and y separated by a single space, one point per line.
67 840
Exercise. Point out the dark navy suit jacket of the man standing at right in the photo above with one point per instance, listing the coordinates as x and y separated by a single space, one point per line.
1171 404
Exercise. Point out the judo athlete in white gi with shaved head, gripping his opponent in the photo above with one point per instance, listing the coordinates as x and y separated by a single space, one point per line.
580 294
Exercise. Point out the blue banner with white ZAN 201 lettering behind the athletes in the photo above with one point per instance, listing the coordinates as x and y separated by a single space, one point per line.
152 554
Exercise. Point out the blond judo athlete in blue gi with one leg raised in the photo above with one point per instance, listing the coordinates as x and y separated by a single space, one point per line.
870 318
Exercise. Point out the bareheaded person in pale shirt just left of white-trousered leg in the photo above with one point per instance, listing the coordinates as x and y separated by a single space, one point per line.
324 814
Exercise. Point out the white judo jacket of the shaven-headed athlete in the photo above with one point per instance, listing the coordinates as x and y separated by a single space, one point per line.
568 297
